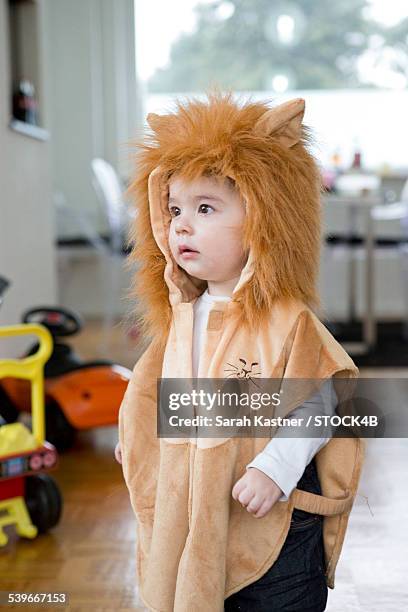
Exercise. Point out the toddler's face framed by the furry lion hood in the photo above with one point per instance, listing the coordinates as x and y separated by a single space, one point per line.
206 228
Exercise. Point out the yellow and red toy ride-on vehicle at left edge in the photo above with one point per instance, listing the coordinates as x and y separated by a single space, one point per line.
29 498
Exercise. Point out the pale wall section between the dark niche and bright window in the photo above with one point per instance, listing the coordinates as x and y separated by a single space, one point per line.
92 84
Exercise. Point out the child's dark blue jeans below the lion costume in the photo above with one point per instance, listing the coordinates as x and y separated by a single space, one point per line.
296 581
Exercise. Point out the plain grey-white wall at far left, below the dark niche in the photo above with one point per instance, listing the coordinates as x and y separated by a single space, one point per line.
26 209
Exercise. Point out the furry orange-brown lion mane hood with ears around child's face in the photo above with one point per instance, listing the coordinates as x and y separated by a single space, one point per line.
265 150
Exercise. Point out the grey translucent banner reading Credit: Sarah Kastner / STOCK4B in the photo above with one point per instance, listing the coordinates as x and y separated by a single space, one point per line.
337 407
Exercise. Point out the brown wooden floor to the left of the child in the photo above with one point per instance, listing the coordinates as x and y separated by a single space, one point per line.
91 554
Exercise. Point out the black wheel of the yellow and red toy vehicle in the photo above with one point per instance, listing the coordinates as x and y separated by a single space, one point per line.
44 501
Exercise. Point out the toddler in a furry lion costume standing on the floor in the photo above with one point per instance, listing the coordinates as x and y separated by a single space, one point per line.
227 242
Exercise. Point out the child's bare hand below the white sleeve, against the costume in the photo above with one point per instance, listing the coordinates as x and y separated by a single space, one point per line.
256 491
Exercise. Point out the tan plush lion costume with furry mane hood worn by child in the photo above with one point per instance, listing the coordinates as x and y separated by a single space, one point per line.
195 544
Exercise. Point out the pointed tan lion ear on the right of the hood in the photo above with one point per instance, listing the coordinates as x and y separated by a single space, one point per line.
283 122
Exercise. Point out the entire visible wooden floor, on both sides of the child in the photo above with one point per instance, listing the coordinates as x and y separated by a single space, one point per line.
91 554
